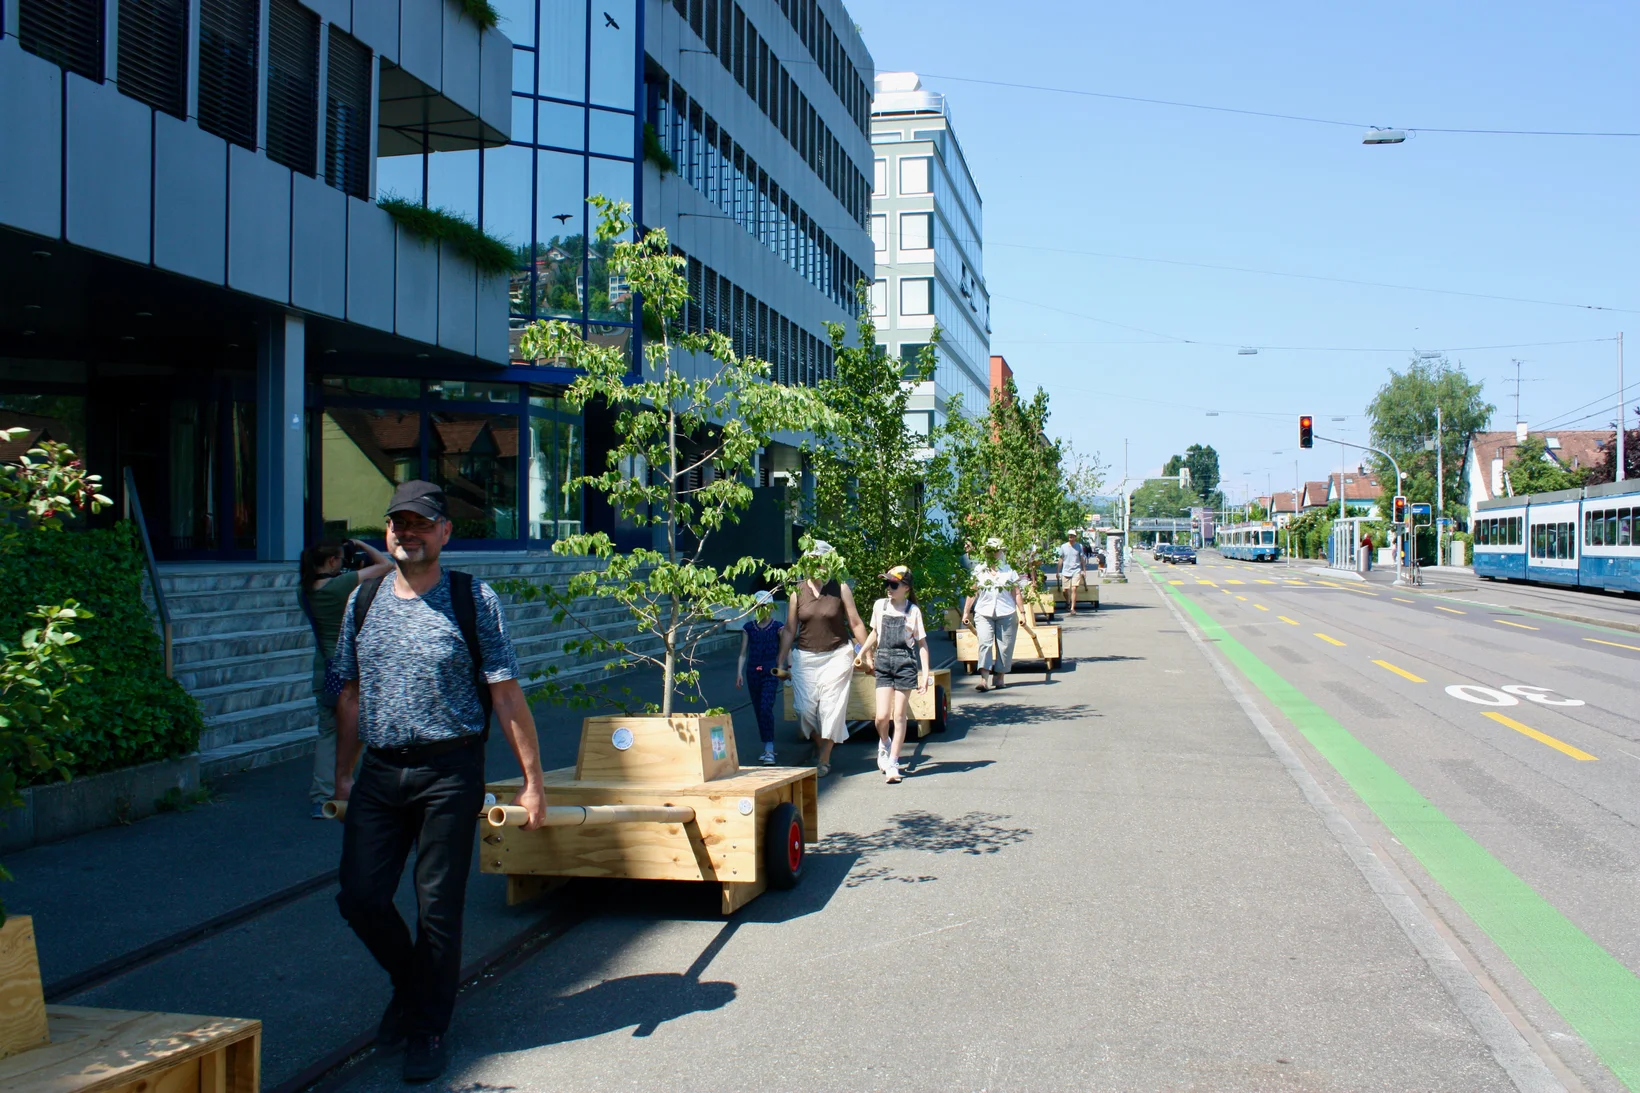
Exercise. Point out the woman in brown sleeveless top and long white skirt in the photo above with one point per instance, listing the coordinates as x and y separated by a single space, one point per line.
824 626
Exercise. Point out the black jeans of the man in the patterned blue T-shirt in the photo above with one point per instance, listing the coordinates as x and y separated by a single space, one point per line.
430 803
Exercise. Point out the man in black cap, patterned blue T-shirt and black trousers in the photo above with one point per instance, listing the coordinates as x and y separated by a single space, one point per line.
427 659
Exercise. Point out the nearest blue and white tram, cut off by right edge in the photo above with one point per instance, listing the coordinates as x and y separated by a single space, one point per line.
1578 537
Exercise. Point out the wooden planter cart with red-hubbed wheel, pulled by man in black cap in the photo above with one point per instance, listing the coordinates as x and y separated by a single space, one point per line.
724 825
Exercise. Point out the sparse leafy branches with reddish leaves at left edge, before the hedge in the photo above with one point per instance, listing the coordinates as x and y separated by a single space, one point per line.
40 490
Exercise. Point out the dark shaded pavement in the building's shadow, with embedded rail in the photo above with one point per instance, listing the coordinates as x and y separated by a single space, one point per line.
296 967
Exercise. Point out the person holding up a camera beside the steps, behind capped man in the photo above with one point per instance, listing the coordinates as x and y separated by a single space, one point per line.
324 598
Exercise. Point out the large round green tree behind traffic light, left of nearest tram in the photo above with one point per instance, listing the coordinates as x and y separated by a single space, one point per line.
1403 416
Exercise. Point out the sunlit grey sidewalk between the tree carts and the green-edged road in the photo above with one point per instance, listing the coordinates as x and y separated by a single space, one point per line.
1105 880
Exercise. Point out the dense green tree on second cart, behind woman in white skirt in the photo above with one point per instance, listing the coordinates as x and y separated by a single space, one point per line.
875 477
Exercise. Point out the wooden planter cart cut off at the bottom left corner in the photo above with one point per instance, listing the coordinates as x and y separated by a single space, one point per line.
76 1050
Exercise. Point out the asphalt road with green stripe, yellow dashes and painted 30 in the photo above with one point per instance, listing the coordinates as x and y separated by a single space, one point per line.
1490 751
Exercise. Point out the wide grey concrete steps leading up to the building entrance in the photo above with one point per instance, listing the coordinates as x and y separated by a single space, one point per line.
245 651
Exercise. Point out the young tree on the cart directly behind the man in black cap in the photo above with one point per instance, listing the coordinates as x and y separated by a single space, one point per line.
681 464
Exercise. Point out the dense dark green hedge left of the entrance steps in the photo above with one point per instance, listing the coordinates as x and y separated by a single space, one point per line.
129 711
